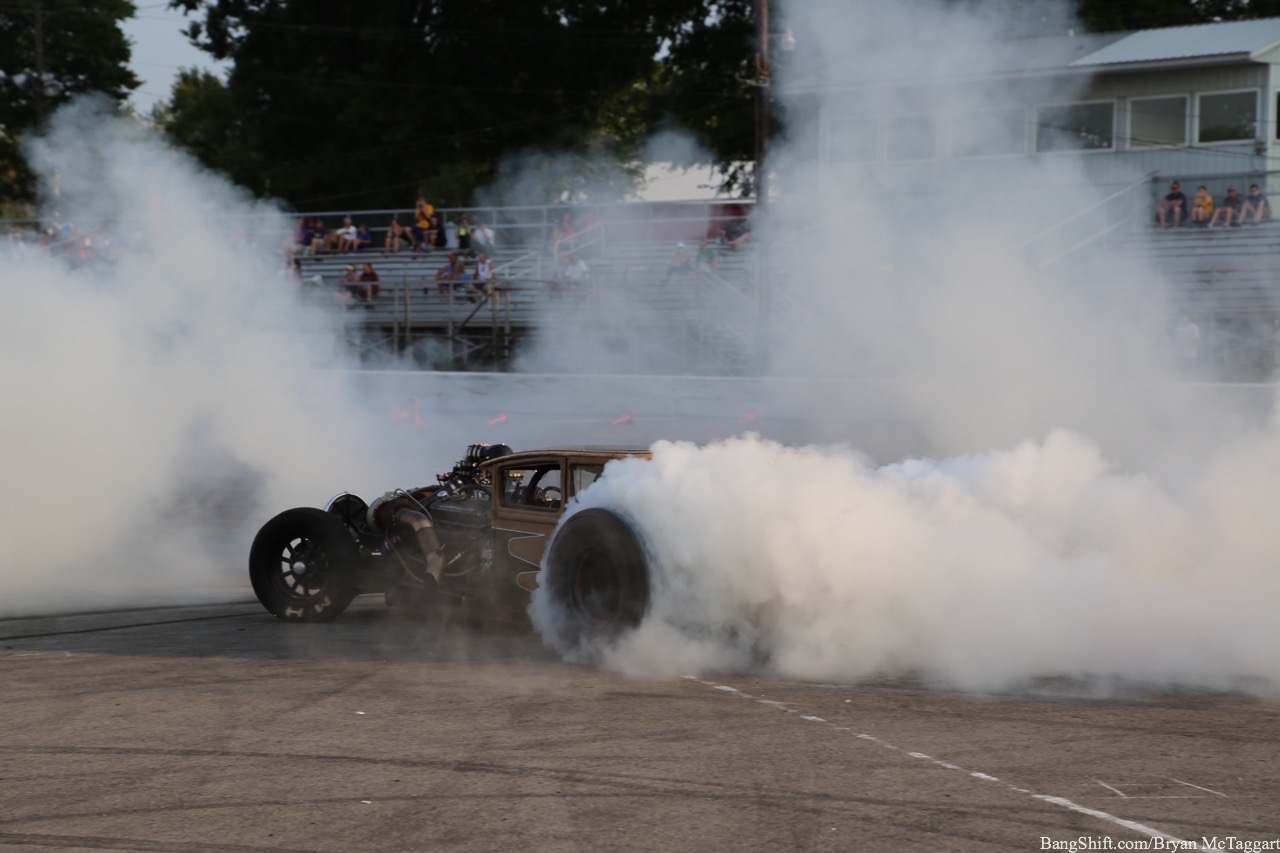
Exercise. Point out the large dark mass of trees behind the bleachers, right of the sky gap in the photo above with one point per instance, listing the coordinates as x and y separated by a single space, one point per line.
369 107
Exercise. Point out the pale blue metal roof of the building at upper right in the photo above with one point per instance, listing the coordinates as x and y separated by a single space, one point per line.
1232 40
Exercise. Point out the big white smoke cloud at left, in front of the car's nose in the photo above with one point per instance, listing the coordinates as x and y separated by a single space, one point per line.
161 395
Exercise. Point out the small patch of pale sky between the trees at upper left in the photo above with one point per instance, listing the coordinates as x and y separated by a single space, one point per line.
161 52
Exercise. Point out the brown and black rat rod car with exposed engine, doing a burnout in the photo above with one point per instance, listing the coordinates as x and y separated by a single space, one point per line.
476 540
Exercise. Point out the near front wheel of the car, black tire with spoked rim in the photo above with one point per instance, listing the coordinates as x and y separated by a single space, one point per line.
303 565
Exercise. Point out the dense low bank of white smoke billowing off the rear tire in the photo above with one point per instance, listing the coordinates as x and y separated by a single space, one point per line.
979 572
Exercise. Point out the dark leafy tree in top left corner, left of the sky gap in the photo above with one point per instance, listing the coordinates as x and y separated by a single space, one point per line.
51 52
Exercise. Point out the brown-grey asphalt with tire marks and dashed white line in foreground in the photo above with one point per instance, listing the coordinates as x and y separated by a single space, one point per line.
222 729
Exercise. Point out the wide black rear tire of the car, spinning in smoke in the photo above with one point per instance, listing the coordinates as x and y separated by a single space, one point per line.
597 577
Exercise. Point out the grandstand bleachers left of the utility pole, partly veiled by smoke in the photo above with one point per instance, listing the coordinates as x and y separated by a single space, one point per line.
630 295
